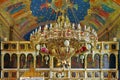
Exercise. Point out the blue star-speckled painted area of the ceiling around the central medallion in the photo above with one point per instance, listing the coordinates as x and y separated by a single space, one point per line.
76 12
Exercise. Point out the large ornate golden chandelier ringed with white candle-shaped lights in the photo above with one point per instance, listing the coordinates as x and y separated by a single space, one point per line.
63 39
